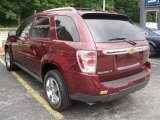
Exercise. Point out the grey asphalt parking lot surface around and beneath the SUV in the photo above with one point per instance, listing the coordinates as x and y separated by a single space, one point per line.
17 104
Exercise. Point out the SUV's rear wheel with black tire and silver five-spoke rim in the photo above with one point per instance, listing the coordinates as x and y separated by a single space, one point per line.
56 91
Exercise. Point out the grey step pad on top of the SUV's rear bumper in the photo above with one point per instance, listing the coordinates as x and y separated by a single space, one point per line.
126 79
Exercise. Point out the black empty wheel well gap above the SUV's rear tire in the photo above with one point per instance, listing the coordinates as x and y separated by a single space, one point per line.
46 68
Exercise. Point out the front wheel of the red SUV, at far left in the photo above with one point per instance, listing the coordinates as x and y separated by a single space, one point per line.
9 60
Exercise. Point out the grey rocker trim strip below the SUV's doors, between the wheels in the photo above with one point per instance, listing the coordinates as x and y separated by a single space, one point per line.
29 72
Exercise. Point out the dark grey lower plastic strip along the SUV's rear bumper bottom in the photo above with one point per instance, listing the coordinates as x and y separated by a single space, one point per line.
109 97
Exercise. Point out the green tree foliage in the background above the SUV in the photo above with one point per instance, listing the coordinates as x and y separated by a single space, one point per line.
12 10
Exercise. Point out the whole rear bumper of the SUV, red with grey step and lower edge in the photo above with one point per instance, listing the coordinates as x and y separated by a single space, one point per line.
89 88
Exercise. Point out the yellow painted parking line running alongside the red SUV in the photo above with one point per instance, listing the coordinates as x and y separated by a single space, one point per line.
42 101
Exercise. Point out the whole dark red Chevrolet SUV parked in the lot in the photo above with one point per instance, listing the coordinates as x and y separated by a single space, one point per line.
89 56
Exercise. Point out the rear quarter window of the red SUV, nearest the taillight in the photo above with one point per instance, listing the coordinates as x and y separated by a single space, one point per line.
66 29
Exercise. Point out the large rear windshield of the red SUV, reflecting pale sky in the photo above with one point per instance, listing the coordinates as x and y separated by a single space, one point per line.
104 30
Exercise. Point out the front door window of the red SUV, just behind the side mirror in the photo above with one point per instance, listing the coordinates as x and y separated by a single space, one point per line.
24 29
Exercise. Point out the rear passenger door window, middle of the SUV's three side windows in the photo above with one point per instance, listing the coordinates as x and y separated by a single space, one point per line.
41 28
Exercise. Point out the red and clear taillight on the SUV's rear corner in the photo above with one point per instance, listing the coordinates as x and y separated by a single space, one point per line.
87 61
